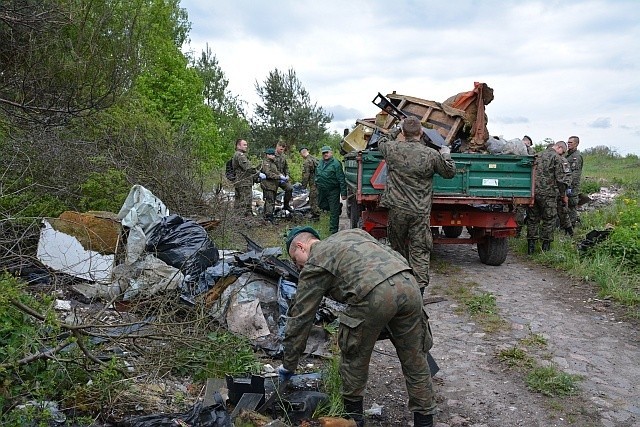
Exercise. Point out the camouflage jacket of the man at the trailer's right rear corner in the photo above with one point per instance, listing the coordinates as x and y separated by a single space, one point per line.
552 174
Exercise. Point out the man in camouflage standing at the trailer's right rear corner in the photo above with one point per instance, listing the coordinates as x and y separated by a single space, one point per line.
551 183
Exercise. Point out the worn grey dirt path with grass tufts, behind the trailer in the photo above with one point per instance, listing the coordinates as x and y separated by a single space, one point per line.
583 337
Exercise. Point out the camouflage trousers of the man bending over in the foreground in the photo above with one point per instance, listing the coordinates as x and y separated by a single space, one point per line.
395 303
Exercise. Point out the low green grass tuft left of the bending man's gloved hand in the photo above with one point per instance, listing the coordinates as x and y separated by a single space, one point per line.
222 353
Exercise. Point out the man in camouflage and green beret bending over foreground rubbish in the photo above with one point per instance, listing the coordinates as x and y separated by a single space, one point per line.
380 292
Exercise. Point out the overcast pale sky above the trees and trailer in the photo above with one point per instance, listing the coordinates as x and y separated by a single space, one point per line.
558 68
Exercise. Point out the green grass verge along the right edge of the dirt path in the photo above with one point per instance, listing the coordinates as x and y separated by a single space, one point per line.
614 265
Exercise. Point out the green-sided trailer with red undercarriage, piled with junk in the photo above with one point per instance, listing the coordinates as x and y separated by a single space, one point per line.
482 196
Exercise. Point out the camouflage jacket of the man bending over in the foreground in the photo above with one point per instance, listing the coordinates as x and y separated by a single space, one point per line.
344 267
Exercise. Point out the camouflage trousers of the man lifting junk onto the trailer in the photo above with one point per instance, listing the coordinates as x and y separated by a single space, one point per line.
410 235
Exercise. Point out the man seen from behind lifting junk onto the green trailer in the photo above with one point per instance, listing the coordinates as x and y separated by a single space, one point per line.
408 193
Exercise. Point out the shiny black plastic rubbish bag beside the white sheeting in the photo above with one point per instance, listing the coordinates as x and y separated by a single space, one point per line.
183 244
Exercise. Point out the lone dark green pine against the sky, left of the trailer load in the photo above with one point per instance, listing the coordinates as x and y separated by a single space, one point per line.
287 113
